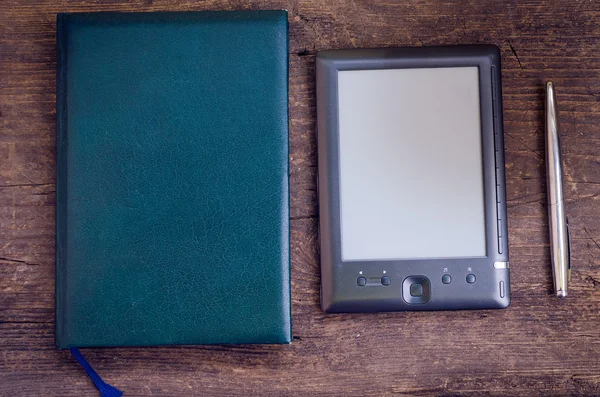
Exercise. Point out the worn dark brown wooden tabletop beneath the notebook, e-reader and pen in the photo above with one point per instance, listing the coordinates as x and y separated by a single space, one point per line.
540 346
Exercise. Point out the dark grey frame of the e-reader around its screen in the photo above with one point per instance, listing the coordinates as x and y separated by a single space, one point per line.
340 291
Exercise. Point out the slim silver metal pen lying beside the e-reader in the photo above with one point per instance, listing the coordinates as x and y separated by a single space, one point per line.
559 227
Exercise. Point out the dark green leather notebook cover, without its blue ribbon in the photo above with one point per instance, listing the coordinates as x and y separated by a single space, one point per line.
172 179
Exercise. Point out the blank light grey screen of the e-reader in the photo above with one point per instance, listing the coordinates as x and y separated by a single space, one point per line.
411 177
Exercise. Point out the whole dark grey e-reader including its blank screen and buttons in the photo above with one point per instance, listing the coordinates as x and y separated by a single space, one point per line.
411 179
